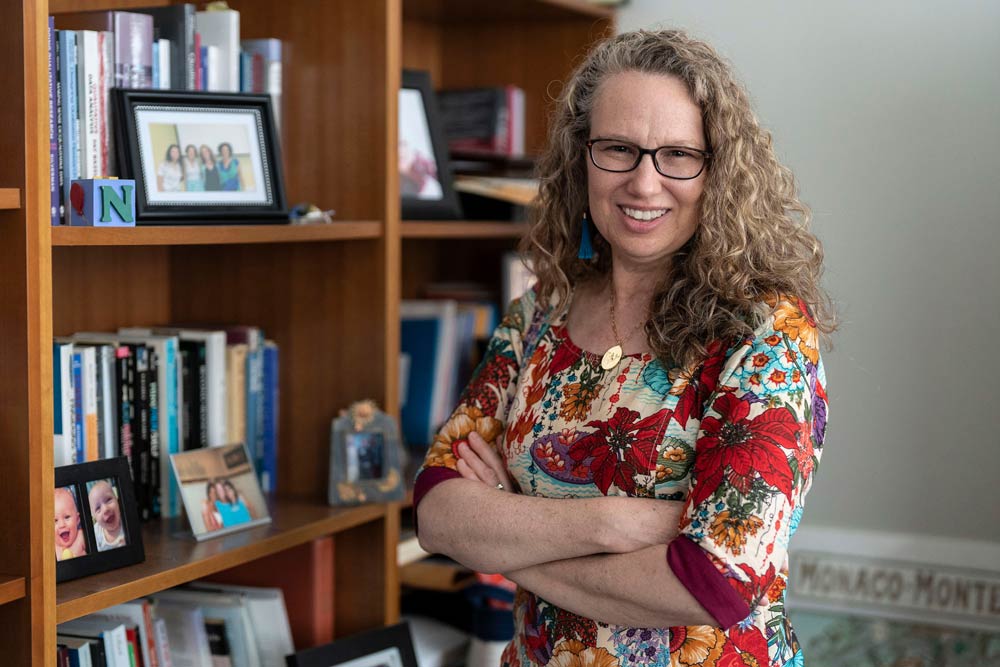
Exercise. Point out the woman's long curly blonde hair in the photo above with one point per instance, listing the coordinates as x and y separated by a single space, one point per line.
752 245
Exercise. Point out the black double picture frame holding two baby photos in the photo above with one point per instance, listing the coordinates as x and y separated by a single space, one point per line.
97 519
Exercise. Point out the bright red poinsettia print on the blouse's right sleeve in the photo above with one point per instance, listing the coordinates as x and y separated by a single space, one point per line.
744 448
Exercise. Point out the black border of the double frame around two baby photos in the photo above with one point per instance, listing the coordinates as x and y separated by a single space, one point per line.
80 480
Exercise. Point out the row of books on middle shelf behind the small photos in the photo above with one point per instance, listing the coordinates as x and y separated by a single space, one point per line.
146 393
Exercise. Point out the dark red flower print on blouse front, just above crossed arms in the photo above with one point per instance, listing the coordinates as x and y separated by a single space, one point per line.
622 447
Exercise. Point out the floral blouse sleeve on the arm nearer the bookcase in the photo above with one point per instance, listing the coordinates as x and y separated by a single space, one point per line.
485 401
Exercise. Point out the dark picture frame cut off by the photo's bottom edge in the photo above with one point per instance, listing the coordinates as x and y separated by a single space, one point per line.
390 646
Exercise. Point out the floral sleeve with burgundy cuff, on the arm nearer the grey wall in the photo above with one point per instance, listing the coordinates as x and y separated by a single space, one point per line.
759 443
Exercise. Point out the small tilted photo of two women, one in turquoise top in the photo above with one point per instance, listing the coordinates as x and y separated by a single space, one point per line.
220 491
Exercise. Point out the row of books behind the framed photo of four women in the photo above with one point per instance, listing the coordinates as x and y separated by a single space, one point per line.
168 48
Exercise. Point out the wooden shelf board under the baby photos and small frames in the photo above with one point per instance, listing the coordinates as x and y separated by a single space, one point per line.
173 559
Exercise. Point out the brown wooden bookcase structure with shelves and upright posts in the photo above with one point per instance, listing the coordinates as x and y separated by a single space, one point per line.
327 294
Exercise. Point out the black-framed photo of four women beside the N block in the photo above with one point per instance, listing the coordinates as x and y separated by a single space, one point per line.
200 157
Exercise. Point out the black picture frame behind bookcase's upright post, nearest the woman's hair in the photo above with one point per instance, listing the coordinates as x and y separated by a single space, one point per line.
425 178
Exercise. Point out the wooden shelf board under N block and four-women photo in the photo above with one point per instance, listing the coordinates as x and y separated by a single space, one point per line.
215 234
